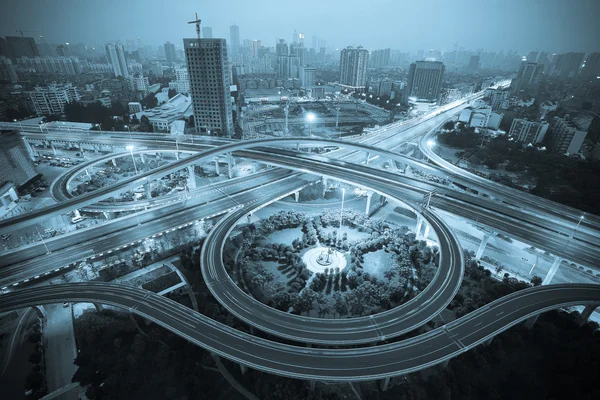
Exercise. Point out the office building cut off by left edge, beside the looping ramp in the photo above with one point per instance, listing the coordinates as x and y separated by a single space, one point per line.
15 163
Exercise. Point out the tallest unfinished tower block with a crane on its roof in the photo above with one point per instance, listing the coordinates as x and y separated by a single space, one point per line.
210 81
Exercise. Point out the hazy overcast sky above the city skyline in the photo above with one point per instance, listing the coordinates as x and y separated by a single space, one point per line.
408 25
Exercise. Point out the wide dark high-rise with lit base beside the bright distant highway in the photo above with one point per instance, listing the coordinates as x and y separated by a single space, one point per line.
424 83
